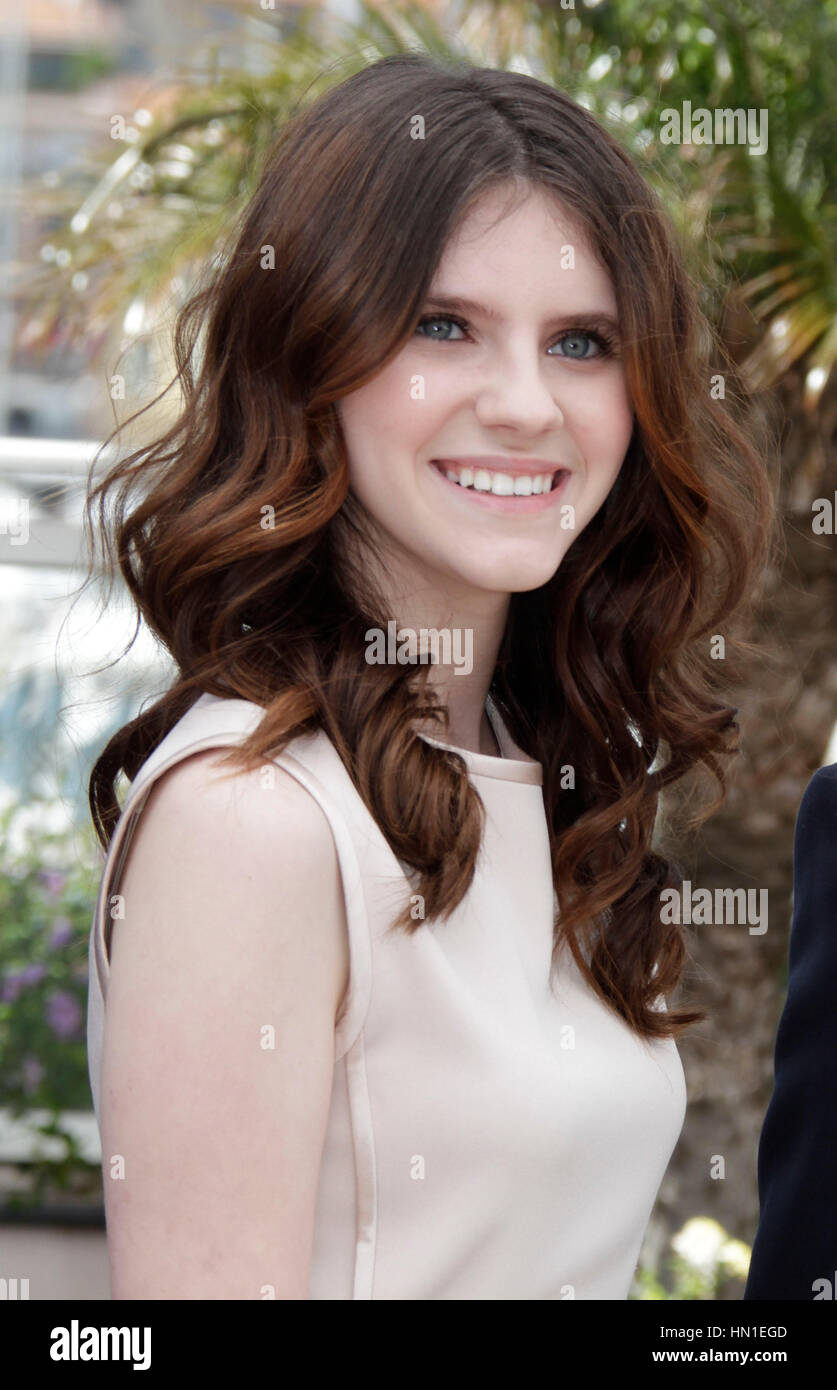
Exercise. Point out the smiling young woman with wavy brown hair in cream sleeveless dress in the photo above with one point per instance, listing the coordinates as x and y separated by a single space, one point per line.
439 543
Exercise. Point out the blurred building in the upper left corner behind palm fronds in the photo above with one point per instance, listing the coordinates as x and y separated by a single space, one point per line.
67 67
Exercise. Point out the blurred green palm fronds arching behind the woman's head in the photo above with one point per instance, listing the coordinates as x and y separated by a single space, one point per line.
162 190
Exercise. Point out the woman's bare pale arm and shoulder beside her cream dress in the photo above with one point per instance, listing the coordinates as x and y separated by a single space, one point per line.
234 926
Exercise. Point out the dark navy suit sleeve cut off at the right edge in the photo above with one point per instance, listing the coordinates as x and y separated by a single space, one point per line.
797 1238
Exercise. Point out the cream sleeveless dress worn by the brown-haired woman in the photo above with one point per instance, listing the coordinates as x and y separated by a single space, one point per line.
493 1134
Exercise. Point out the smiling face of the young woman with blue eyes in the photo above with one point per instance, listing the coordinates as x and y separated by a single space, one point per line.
523 390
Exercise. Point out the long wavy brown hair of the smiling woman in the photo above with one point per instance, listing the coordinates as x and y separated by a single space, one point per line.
607 668
